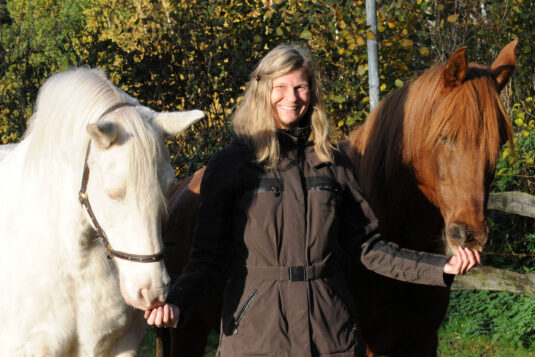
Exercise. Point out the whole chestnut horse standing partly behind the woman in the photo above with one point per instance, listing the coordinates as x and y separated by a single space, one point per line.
425 158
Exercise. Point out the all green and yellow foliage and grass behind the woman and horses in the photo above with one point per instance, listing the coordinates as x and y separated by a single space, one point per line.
185 54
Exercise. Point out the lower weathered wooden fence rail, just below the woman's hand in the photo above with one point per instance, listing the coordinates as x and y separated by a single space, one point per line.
489 278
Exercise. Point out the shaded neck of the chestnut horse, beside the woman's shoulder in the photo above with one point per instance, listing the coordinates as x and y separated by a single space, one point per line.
405 215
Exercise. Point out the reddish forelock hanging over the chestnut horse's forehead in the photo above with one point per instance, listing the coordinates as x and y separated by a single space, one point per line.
463 115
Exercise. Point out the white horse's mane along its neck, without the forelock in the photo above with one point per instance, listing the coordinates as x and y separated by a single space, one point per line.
66 103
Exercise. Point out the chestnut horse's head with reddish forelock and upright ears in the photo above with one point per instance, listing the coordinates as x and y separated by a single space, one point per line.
454 152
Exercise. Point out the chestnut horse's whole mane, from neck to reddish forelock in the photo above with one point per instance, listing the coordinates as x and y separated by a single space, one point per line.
422 113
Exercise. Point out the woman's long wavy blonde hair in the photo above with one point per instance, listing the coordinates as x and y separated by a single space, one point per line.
253 121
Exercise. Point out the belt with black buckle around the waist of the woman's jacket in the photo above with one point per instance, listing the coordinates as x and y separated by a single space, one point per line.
291 273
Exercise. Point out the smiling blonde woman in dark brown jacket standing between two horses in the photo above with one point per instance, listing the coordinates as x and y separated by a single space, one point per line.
279 211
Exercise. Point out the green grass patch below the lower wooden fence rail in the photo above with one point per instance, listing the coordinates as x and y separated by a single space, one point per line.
484 323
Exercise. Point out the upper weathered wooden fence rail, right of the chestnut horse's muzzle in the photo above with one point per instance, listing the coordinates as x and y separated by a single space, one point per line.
513 202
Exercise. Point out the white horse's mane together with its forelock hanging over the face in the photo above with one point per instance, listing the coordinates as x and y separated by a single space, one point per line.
59 123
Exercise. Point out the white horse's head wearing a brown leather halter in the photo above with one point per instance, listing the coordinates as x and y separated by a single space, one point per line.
129 173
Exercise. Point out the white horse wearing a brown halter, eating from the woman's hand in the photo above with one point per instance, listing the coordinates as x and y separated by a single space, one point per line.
92 168
